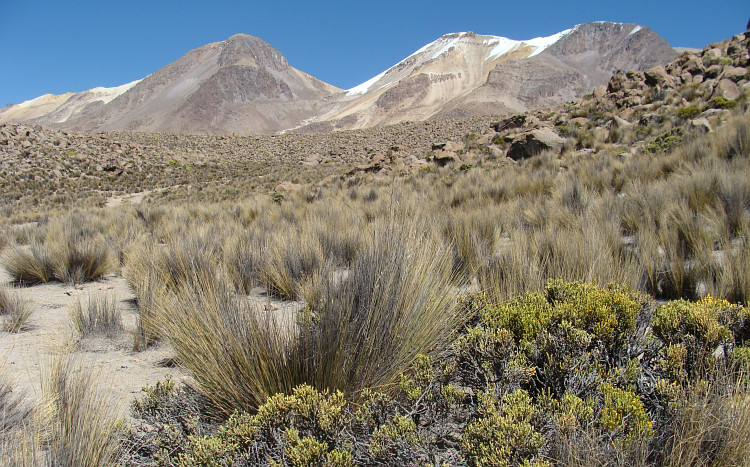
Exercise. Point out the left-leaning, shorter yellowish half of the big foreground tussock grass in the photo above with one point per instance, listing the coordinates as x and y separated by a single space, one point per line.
236 355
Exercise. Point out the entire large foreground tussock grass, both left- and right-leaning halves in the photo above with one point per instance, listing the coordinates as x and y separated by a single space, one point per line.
363 332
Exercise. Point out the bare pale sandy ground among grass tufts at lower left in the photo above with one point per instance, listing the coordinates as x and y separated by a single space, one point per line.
121 370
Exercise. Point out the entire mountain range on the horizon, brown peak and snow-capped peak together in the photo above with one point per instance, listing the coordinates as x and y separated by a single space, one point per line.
245 86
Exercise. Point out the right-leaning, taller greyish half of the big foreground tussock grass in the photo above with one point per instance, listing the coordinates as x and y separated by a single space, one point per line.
394 304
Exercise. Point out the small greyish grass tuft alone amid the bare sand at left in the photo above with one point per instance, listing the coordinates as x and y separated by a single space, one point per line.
98 314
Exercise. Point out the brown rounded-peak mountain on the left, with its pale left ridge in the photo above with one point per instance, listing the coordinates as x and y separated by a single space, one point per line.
240 85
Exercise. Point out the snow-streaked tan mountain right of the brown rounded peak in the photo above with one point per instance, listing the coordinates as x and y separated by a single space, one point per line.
466 74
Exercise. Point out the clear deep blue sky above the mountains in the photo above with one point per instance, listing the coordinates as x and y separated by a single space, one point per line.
56 46
